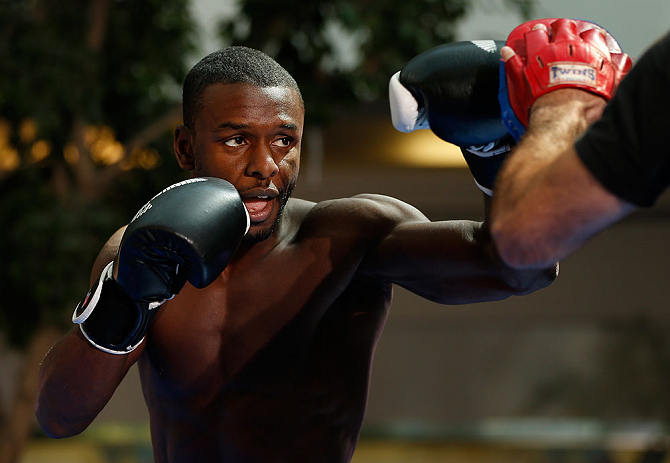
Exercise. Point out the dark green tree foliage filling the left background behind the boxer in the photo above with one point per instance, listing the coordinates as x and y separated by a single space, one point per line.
66 66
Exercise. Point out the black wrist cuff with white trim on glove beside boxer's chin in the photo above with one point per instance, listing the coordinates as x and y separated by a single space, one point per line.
109 319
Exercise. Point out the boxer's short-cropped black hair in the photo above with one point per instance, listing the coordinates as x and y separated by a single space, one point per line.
232 65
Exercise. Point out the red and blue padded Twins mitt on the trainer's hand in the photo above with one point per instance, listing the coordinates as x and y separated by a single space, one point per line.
544 55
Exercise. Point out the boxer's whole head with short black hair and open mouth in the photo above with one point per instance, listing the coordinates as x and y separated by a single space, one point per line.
243 120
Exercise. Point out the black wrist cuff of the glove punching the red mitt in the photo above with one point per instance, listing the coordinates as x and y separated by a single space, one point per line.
485 161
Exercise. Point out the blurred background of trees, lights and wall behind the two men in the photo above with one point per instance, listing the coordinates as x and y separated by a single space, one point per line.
89 95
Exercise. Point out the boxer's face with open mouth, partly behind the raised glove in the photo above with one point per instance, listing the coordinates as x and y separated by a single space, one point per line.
251 137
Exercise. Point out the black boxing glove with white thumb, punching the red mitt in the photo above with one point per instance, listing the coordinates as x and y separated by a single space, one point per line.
453 90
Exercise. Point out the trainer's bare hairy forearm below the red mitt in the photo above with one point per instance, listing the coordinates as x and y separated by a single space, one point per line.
522 218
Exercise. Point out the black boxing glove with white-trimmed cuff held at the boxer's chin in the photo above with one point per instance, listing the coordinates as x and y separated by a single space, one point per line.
188 232
